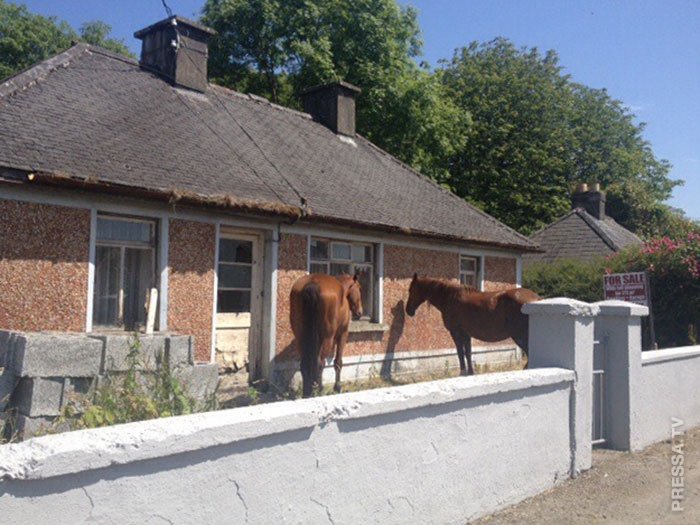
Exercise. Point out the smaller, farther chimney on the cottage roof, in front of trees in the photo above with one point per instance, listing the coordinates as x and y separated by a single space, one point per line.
333 105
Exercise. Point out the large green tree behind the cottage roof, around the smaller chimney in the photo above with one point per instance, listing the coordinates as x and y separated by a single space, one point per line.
277 48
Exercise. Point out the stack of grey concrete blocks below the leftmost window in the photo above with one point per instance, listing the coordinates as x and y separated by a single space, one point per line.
46 371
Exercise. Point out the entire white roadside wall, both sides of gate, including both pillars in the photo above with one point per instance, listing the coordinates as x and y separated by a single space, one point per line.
445 451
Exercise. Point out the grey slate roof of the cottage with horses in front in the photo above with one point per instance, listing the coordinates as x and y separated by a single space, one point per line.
94 116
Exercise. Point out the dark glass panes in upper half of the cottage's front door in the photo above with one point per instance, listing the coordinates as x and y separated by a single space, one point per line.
235 276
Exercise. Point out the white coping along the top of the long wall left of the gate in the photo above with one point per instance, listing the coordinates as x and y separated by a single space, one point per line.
91 449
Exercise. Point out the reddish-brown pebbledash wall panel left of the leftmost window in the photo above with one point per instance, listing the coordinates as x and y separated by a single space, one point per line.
44 254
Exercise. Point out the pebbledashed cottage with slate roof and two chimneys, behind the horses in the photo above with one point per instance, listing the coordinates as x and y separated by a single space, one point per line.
119 176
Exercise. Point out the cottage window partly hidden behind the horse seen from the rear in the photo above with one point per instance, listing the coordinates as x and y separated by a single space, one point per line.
336 258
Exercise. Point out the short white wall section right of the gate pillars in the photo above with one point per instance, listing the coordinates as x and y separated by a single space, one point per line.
669 387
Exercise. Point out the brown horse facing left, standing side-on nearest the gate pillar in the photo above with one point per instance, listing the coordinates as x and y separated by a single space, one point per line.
467 313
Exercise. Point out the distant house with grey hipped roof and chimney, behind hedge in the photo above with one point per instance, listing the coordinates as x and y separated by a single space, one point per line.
584 233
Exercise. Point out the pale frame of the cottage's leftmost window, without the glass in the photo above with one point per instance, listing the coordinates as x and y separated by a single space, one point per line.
152 246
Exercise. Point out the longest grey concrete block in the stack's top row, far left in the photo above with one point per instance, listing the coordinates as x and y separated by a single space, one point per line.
53 355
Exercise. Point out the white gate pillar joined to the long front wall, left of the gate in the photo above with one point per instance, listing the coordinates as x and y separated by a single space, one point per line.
561 335
